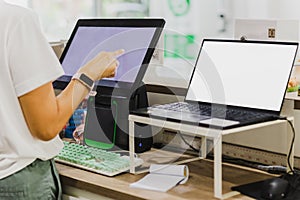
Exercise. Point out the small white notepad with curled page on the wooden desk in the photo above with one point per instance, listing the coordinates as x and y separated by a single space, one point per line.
163 177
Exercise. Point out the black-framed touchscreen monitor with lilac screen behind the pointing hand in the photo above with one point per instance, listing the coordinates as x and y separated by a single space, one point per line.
138 37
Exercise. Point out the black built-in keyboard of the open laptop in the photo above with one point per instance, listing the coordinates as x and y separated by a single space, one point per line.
214 111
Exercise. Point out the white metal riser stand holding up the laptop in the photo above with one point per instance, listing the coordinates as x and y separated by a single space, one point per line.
204 133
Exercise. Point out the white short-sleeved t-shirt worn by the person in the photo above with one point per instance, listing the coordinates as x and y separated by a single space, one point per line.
26 62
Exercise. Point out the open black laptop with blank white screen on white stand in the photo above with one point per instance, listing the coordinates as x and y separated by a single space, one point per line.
234 83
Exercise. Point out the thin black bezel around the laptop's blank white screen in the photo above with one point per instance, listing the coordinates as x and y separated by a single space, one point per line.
242 41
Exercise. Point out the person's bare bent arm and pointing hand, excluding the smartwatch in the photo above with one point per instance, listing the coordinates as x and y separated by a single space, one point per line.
46 114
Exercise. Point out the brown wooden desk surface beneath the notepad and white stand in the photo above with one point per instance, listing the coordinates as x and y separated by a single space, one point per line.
199 185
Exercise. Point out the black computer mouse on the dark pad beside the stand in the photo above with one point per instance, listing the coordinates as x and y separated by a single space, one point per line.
275 188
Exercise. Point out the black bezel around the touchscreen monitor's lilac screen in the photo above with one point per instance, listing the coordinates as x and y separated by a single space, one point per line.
108 85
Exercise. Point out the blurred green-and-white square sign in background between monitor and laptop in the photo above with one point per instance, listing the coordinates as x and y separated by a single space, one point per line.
179 46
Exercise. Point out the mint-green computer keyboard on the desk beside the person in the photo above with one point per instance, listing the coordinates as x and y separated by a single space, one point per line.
95 160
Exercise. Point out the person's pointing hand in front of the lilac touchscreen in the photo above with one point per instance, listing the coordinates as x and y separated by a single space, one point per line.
102 65
